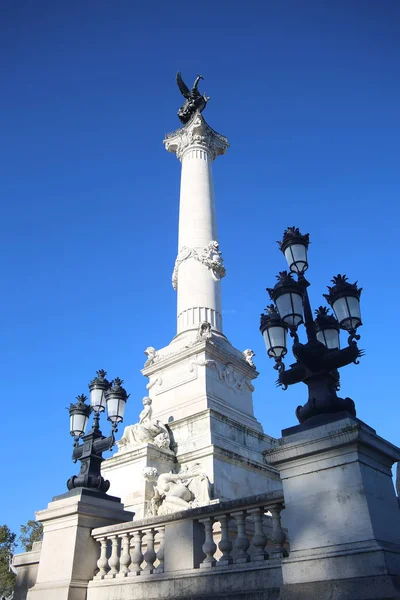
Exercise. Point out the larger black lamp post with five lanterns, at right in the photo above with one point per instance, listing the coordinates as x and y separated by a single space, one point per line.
317 361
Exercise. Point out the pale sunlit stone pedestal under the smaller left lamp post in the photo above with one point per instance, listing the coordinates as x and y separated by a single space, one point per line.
69 554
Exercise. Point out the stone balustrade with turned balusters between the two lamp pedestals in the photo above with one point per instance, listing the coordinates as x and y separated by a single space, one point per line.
230 534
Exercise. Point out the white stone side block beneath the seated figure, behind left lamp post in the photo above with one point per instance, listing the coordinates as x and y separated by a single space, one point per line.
125 473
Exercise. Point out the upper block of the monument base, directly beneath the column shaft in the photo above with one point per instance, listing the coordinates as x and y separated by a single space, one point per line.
193 374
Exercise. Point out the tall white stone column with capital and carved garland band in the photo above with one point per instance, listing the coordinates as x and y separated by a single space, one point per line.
199 265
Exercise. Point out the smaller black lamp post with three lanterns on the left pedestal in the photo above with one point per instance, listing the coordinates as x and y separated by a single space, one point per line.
103 394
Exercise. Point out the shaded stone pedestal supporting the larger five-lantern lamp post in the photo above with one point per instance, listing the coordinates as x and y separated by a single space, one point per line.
341 512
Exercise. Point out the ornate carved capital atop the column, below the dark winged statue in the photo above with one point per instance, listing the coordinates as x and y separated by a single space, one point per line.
196 134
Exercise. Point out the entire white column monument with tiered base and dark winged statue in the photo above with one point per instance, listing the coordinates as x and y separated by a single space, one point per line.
199 386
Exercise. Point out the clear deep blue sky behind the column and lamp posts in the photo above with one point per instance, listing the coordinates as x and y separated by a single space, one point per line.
308 94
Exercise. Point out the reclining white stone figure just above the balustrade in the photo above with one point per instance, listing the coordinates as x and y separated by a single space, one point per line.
177 491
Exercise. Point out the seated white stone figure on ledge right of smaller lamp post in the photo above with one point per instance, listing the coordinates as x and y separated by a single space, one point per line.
145 430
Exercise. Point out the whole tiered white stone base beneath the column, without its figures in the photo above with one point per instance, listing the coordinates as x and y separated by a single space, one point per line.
202 390
